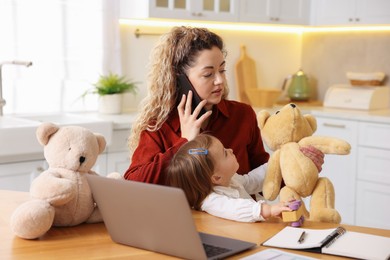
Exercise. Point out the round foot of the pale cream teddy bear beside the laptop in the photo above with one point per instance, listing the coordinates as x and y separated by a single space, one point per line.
32 219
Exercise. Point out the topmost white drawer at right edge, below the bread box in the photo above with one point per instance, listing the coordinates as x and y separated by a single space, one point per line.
374 135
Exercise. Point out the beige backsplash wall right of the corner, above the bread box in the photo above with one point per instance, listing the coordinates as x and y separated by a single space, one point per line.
326 57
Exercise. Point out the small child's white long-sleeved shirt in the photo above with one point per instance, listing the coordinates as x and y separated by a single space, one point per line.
234 202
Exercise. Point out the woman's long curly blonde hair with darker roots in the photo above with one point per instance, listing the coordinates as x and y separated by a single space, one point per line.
175 52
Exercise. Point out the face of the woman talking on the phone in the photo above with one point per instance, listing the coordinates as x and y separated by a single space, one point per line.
208 76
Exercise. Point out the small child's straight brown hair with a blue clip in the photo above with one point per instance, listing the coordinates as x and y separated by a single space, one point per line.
192 172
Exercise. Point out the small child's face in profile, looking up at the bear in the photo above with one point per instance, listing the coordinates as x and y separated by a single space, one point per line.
225 163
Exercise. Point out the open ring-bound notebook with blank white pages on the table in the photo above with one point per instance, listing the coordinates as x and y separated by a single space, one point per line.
336 241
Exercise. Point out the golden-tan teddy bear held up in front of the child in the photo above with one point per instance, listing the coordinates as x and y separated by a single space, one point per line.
284 132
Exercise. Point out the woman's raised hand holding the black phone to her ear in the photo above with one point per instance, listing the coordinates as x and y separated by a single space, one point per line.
189 124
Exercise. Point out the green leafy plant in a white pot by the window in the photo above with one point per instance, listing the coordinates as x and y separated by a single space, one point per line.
110 89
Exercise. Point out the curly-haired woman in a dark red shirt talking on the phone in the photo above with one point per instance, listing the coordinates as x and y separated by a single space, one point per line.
166 121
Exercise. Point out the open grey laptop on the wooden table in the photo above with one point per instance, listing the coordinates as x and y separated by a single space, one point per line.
156 218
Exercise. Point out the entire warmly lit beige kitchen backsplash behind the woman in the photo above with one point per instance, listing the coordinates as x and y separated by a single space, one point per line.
325 57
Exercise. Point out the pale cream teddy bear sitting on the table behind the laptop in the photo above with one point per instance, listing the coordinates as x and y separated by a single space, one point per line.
61 195
